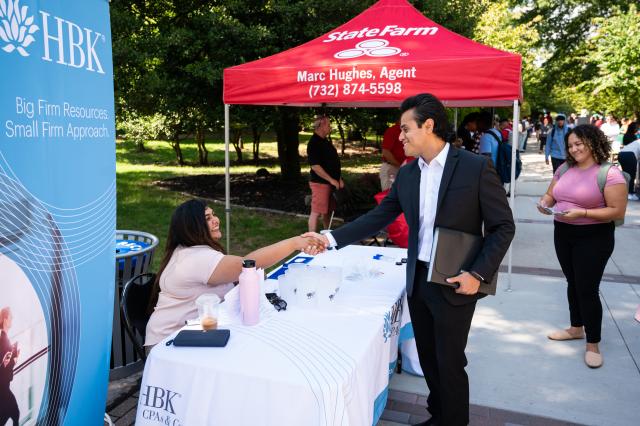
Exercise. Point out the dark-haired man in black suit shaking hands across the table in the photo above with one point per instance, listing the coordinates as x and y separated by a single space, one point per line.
448 188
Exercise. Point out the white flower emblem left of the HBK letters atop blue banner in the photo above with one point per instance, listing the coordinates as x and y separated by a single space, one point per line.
15 27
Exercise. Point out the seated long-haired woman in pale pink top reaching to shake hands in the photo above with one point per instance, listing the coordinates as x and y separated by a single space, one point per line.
195 263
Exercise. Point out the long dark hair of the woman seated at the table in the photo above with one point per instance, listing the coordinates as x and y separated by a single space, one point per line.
188 228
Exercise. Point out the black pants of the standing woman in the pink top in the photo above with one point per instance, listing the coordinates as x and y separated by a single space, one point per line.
583 252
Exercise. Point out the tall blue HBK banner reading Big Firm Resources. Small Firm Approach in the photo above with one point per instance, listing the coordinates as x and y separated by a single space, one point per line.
57 210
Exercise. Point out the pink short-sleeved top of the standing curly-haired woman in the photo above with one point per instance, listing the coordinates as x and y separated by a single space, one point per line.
578 188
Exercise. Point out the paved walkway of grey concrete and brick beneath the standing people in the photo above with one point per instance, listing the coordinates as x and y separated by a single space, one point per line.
517 375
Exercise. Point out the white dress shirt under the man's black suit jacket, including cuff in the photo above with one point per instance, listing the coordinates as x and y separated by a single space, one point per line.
430 178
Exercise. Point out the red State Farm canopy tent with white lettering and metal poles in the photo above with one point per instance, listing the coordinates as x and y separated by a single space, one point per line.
382 56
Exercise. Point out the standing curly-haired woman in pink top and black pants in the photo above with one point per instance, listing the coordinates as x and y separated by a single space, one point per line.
584 230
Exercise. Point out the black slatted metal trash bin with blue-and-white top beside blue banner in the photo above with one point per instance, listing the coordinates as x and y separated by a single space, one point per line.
134 253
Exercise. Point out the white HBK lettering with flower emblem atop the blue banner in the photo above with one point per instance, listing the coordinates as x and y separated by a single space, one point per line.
76 46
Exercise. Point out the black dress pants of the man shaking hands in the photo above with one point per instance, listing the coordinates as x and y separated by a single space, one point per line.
441 332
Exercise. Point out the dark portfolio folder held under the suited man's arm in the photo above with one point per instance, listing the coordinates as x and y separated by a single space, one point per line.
455 251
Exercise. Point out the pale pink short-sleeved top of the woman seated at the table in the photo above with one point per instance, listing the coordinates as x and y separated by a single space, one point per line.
183 280
